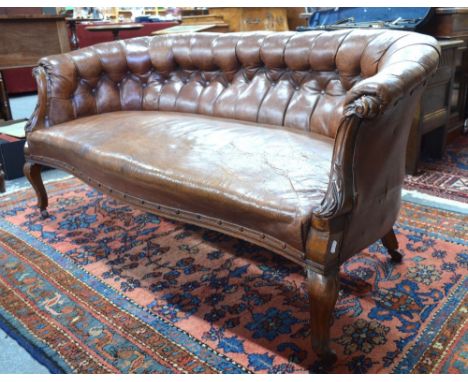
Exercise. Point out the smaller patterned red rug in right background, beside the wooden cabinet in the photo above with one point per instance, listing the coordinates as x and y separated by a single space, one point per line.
446 178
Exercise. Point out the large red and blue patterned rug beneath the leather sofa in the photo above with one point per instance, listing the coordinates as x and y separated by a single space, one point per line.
101 287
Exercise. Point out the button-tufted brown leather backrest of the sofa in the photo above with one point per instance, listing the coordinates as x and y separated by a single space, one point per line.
298 80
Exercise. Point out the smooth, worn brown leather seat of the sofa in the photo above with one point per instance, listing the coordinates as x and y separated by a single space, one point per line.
262 177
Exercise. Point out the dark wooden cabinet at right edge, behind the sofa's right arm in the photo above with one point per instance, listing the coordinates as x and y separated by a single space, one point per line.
443 113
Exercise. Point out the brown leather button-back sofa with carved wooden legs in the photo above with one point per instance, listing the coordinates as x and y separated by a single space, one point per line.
292 141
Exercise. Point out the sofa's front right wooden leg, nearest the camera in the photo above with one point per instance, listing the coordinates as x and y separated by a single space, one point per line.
323 293
